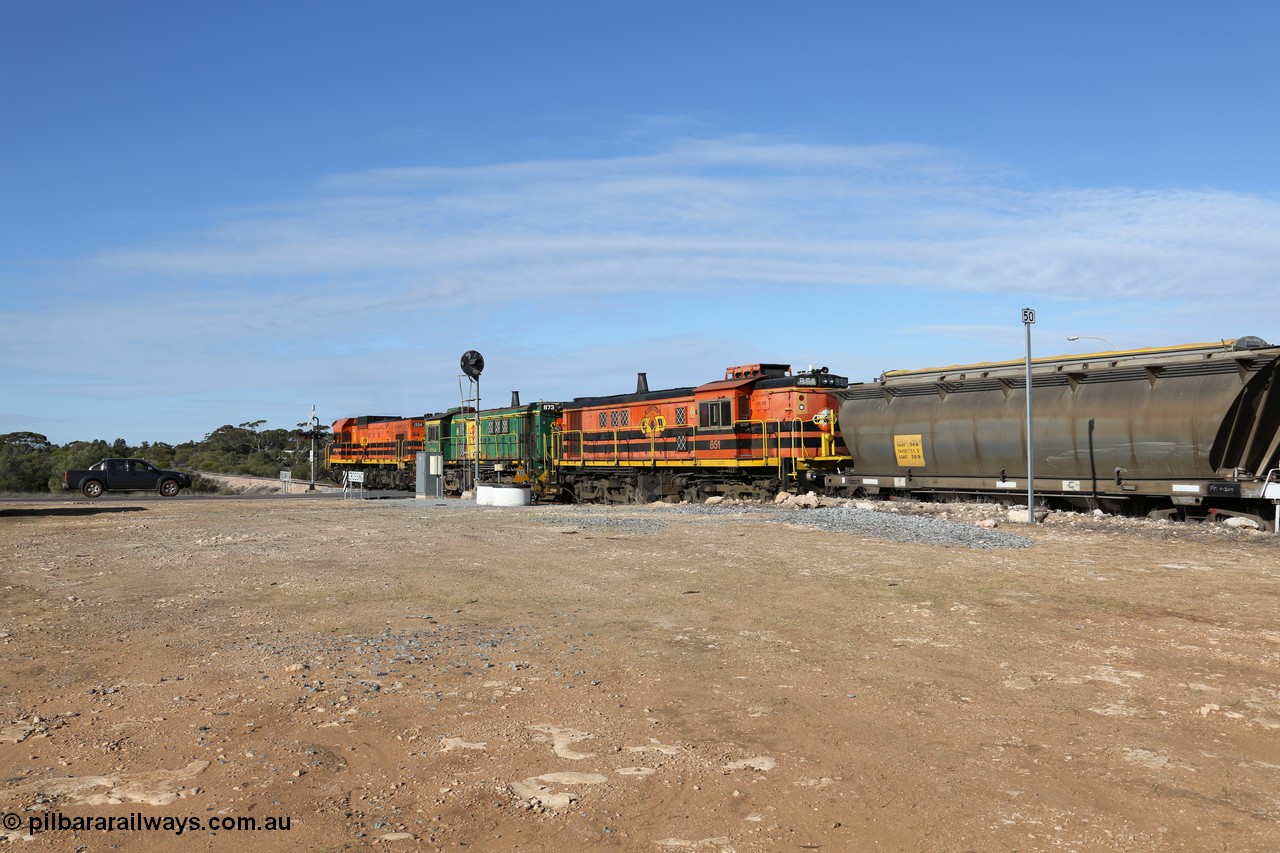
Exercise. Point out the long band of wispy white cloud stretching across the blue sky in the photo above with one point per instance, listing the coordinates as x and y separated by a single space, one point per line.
733 212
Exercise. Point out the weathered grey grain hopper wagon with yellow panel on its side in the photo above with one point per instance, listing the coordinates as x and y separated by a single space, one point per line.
1186 423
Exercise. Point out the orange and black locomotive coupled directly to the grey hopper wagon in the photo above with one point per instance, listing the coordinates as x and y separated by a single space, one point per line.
760 431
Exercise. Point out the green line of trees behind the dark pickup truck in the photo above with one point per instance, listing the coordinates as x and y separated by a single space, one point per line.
30 463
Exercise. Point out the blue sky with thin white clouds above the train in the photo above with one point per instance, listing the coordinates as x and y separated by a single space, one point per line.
221 213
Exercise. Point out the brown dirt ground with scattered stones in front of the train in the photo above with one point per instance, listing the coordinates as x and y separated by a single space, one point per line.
419 674
